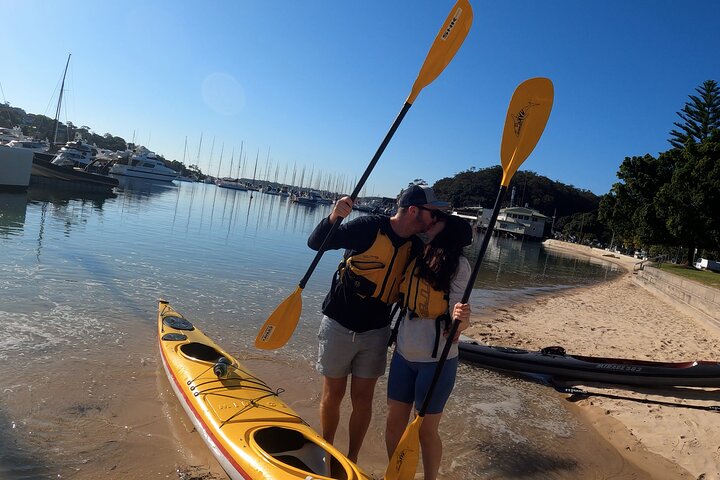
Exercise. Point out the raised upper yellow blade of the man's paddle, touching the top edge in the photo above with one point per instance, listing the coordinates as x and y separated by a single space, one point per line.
446 44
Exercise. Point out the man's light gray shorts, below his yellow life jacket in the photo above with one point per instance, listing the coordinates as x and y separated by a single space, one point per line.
342 351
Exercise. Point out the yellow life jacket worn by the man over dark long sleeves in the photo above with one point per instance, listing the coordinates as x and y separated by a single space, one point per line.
377 271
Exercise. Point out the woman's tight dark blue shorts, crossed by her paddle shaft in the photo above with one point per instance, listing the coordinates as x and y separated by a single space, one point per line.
408 382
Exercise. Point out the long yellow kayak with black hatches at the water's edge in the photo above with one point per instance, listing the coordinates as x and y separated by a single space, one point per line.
251 432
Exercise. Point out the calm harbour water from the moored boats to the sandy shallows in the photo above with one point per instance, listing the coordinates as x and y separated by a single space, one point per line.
79 278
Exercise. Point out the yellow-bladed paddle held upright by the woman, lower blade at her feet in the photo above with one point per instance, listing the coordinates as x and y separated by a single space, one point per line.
527 116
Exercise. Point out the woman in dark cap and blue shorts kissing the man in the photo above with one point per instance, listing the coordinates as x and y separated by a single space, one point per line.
433 282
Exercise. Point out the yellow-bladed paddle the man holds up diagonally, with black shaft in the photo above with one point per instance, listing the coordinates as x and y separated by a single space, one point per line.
279 327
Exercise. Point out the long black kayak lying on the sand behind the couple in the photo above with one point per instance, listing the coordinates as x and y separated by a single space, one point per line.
554 362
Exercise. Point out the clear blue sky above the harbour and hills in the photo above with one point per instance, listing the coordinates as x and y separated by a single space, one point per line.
318 83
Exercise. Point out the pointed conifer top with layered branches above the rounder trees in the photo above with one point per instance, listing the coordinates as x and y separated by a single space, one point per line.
700 116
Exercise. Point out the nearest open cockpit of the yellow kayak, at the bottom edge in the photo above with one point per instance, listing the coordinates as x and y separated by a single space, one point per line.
291 448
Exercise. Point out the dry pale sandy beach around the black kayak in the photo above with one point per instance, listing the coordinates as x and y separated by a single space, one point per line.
621 319
